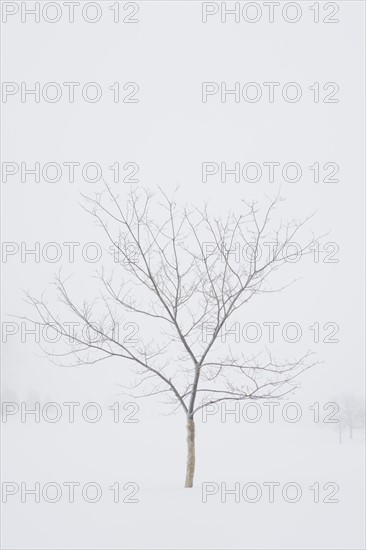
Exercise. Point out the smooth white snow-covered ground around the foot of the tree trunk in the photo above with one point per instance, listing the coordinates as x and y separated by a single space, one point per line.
151 454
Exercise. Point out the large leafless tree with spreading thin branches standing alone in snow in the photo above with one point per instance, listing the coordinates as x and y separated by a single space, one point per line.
180 269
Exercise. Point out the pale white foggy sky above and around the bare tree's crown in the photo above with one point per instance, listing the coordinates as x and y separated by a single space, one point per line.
170 132
